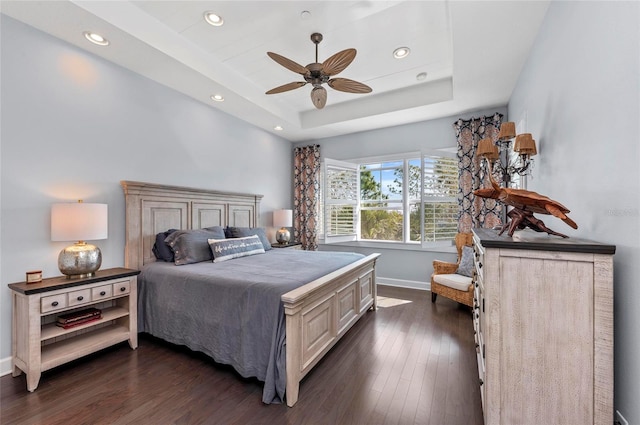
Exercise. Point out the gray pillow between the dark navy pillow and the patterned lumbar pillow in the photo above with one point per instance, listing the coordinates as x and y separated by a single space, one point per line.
192 246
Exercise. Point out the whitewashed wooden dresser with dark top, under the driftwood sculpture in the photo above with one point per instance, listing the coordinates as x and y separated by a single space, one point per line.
543 320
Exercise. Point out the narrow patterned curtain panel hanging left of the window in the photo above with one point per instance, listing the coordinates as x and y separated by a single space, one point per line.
306 195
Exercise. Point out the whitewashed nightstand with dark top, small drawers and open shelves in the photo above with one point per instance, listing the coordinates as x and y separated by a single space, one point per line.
39 344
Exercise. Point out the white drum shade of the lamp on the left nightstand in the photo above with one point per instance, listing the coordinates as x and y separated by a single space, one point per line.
79 222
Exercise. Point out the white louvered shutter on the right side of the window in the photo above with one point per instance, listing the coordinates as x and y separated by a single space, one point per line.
439 198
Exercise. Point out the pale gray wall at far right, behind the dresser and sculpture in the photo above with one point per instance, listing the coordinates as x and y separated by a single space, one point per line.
579 92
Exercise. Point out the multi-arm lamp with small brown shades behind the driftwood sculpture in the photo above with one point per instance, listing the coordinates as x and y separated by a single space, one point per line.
524 146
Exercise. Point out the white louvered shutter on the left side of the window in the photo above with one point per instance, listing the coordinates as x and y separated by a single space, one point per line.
341 189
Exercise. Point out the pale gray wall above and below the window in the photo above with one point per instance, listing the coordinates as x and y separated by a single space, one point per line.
406 267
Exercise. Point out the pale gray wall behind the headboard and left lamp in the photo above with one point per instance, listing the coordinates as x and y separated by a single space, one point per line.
74 125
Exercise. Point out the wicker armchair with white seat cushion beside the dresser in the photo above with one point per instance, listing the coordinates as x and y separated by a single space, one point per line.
454 280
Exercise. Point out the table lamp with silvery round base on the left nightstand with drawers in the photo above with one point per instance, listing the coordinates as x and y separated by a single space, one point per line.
79 222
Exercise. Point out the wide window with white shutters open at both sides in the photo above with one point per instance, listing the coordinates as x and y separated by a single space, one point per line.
408 199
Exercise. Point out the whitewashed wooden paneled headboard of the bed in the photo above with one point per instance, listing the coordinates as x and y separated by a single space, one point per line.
154 208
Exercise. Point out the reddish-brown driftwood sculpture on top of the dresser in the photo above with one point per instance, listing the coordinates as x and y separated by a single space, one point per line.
525 203
